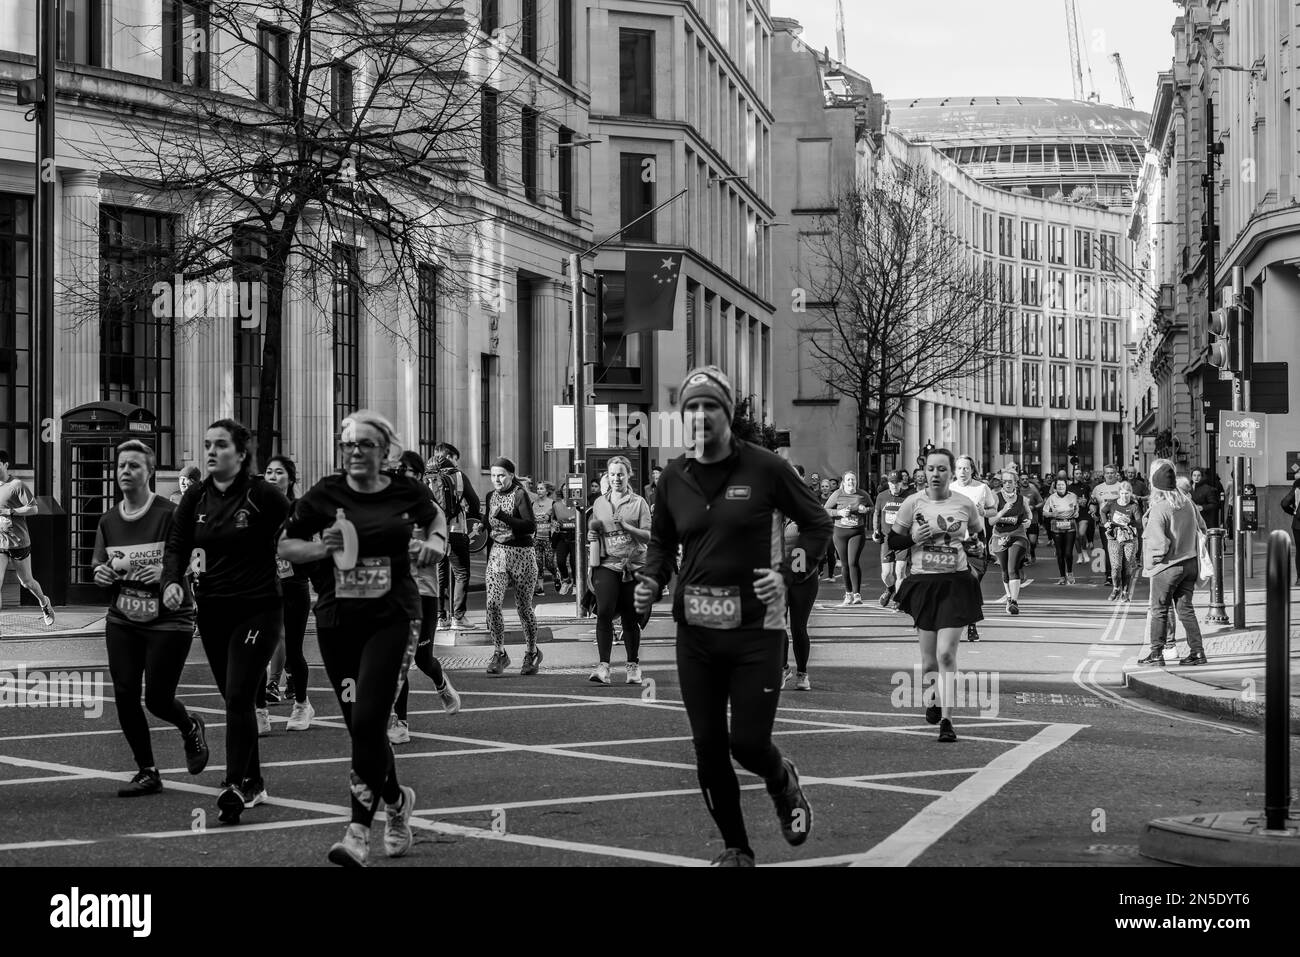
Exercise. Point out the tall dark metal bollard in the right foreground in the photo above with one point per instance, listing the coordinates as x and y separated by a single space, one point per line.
1277 685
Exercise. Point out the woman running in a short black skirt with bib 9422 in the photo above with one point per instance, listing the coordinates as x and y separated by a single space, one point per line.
937 529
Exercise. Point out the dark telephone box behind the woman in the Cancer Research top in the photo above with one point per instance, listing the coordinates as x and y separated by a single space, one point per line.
89 436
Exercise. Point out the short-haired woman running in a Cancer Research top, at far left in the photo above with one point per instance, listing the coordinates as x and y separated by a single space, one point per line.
146 643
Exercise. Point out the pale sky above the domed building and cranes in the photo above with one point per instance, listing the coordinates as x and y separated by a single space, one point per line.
994 49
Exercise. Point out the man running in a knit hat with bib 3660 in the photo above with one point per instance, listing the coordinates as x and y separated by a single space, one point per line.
725 505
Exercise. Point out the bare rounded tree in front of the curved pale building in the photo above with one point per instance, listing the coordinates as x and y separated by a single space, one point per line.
902 304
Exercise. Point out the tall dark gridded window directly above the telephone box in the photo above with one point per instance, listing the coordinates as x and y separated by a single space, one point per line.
137 348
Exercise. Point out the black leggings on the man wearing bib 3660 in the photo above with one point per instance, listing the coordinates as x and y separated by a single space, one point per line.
743 668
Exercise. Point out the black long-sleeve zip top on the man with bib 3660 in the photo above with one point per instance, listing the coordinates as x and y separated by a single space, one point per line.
729 518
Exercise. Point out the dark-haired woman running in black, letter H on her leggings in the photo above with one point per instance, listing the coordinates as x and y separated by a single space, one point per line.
226 530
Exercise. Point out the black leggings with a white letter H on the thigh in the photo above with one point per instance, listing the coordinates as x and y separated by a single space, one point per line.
239 642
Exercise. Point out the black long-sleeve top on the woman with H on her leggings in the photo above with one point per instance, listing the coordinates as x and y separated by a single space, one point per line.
231 538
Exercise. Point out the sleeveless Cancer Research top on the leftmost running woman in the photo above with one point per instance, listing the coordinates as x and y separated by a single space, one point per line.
129 545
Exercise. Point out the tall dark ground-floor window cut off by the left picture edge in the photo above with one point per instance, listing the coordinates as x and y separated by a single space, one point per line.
16 261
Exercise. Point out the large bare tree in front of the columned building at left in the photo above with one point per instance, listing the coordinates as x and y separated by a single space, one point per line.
302 125
